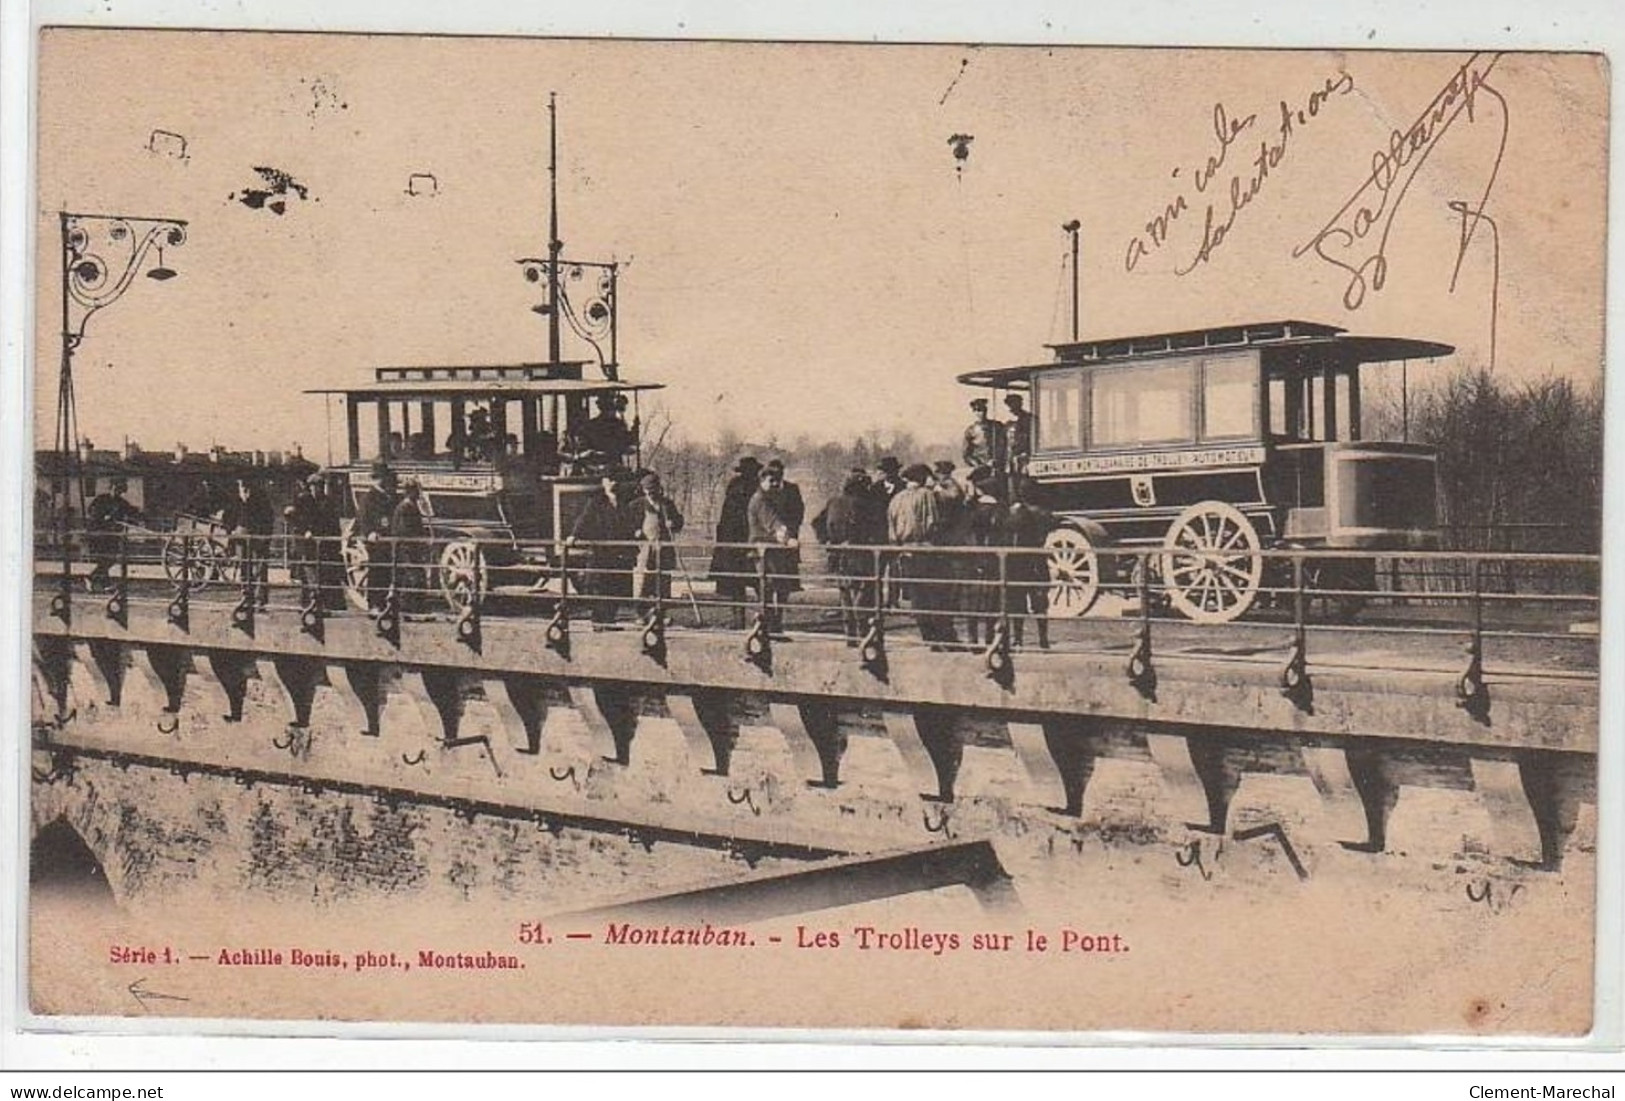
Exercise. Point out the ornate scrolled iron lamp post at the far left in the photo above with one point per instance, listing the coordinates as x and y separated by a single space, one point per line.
102 259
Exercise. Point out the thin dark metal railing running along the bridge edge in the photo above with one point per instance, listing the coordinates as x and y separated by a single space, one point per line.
995 600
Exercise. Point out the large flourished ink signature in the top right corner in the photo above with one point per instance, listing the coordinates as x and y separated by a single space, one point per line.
1356 238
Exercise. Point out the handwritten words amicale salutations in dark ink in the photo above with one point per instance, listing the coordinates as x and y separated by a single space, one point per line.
1242 189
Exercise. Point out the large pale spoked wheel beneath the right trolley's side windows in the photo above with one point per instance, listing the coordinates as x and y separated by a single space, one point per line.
1211 563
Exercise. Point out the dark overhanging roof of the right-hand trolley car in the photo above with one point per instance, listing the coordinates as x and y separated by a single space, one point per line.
1306 335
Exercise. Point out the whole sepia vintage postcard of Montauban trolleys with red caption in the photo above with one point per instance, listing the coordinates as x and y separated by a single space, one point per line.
817 537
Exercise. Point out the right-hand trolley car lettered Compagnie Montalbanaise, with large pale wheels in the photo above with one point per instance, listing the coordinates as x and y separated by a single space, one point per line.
1215 446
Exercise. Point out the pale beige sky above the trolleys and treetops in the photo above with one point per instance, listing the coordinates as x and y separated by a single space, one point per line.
804 253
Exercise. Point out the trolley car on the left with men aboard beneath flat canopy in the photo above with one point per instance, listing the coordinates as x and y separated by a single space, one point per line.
500 459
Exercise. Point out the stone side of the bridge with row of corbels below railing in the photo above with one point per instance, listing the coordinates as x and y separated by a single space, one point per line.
813 733
